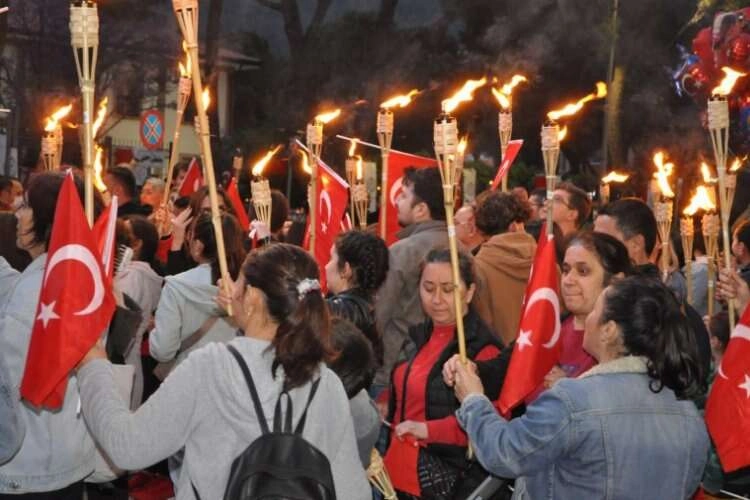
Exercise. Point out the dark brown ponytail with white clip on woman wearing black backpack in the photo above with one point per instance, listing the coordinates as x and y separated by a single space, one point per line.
302 338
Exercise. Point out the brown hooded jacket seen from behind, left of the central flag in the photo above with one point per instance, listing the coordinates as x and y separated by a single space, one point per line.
503 265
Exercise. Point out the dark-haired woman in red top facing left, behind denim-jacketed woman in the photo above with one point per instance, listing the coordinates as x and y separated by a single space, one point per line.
592 261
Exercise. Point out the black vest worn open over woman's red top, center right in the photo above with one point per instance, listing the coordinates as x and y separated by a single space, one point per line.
440 399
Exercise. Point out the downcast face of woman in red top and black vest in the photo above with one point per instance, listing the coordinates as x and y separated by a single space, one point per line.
436 292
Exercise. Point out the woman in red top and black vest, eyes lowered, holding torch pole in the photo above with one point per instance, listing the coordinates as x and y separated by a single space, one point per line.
427 454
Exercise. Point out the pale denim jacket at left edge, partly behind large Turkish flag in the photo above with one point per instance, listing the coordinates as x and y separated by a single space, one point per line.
57 449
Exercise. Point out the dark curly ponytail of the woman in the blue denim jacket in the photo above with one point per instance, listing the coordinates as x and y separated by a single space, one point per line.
653 325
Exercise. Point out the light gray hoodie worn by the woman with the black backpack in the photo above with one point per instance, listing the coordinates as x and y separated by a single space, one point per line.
204 406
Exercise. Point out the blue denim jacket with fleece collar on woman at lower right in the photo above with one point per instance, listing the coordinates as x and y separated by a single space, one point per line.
604 435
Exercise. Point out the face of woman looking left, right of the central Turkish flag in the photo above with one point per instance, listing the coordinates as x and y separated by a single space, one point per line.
582 280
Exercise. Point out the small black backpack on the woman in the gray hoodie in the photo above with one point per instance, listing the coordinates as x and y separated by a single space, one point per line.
279 465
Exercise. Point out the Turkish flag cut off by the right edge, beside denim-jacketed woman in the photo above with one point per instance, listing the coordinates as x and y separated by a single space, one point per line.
728 405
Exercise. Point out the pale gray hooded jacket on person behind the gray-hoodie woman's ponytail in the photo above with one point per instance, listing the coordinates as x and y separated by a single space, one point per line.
187 301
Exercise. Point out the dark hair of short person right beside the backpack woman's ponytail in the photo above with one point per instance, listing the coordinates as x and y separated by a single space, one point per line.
355 362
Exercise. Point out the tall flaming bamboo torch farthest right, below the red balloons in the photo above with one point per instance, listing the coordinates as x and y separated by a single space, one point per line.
718 126
